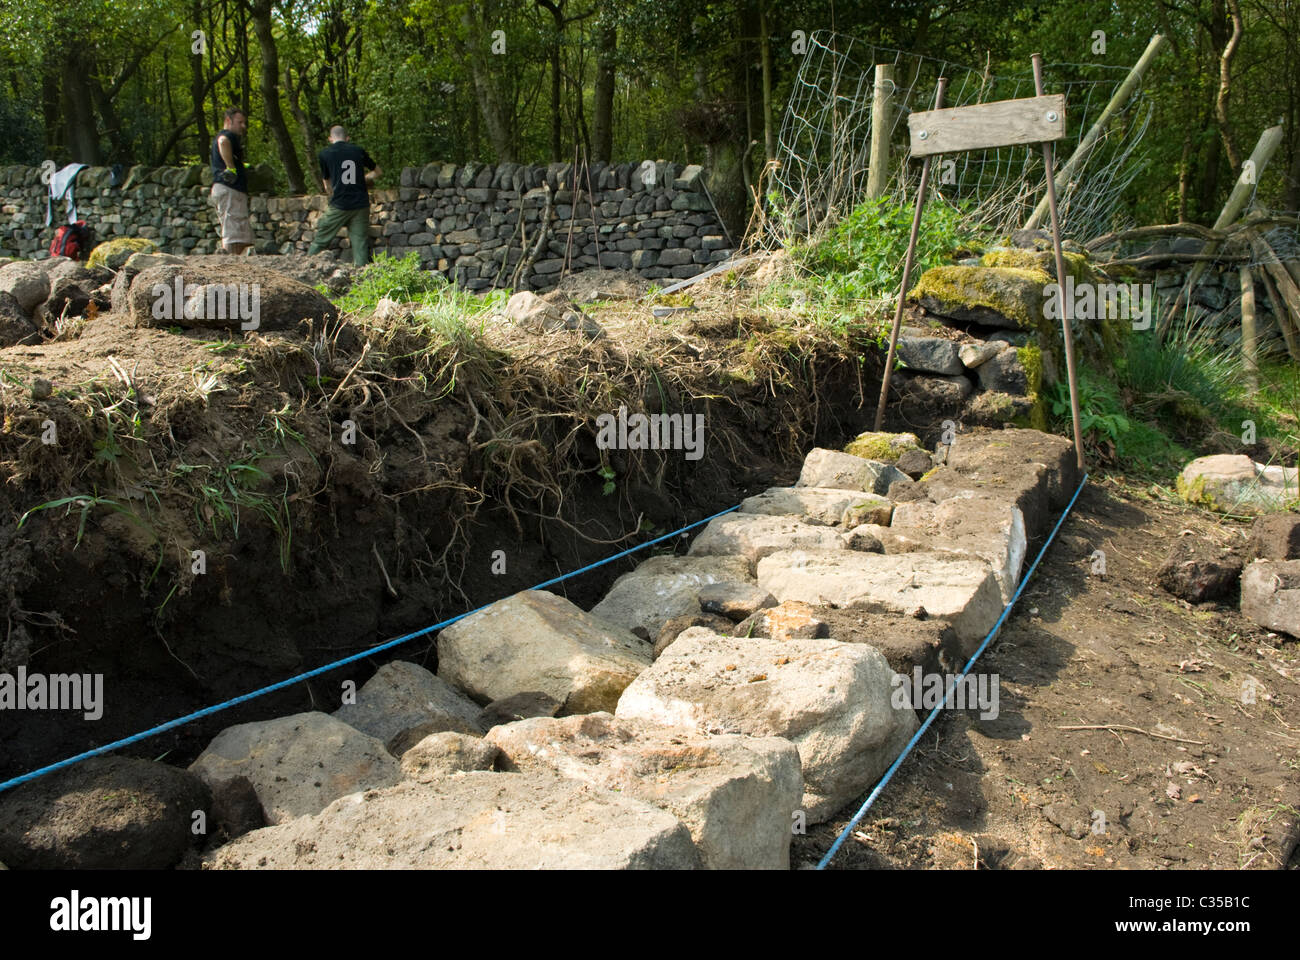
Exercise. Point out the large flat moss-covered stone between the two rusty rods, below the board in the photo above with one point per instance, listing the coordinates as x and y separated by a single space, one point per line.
1008 297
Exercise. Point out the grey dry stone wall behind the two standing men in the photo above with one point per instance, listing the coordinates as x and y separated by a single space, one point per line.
474 223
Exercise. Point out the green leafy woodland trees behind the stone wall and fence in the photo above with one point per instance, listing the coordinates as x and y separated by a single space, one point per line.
540 81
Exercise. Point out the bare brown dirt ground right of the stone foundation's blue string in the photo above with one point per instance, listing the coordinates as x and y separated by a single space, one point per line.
1219 788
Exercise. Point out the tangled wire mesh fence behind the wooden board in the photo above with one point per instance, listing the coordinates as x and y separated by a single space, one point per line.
825 148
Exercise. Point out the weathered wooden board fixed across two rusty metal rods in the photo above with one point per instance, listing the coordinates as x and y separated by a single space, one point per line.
1002 124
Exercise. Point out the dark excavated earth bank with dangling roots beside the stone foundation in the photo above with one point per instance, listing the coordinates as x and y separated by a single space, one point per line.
476 481
